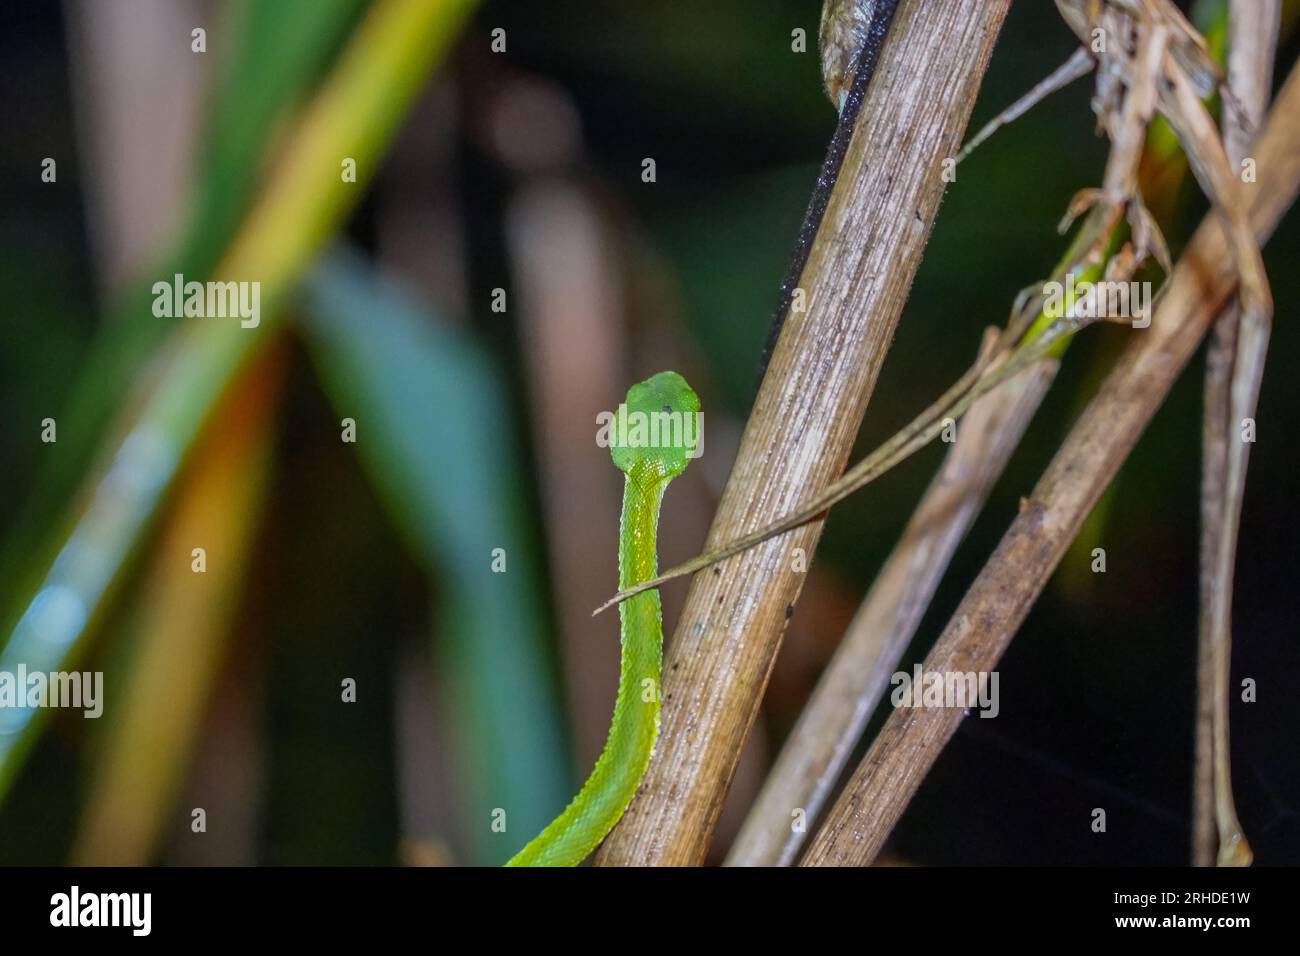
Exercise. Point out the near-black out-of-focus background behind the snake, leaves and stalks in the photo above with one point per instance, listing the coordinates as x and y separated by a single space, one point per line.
1098 691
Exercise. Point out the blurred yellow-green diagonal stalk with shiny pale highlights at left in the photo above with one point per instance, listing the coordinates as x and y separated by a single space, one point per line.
357 114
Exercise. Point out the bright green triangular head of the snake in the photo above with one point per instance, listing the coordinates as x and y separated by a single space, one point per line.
660 427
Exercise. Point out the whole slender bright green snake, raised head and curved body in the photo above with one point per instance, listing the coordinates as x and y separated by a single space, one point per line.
648 469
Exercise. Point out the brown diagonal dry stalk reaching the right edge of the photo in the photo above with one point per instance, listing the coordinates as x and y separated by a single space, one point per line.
1002 596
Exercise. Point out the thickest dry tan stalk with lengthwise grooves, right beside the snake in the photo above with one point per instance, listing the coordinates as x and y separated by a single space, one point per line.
808 413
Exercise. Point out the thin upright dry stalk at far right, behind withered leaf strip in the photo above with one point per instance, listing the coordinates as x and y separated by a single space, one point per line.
1253 37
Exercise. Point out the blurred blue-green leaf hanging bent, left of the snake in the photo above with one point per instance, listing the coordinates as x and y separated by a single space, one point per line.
435 432
